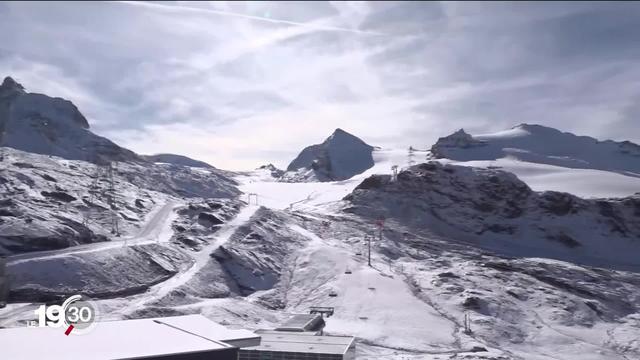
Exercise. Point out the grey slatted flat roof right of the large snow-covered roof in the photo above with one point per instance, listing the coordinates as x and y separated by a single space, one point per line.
283 341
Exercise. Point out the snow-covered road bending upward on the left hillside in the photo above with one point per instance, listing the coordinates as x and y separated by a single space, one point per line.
156 229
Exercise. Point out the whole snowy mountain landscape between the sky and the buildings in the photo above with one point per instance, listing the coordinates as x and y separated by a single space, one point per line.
532 233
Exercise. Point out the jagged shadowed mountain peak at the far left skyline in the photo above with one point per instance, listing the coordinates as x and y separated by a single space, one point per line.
41 124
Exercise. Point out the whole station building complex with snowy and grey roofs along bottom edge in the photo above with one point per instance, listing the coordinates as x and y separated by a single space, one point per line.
189 337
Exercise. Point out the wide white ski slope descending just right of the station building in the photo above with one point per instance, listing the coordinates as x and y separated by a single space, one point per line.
372 303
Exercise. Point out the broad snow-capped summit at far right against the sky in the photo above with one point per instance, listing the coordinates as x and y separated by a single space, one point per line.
541 144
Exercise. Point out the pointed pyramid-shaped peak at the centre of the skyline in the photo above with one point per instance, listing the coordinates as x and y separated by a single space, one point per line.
339 157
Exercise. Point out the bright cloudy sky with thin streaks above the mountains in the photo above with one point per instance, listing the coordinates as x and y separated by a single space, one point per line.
242 84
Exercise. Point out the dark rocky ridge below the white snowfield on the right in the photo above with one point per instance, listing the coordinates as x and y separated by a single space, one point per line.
495 209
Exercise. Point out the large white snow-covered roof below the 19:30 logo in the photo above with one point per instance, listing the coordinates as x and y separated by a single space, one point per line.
122 339
